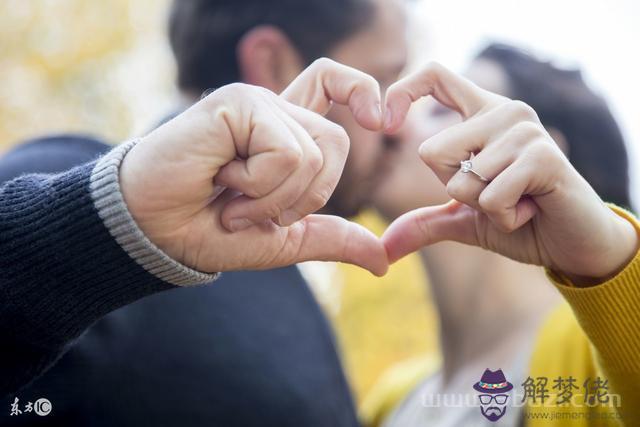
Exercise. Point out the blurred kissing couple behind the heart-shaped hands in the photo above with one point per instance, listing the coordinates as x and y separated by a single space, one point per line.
255 348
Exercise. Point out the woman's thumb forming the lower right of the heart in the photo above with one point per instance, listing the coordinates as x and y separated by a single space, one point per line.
429 225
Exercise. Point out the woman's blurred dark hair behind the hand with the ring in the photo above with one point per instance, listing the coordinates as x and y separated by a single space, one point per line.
564 101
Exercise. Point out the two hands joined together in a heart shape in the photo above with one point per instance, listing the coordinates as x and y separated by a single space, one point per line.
234 181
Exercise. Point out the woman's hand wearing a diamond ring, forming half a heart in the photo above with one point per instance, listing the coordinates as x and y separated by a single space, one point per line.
533 207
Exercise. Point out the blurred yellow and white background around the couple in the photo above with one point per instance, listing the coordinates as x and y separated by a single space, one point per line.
104 68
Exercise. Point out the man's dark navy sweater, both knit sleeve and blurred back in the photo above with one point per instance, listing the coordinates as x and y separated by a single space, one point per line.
252 349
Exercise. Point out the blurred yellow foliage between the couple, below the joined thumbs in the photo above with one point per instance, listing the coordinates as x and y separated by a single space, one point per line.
383 321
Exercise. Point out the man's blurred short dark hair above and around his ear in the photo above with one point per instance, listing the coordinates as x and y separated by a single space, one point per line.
204 34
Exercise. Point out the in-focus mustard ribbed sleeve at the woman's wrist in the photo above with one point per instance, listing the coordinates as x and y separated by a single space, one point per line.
609 312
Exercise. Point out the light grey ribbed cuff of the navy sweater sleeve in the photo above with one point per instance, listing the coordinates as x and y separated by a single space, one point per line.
108 199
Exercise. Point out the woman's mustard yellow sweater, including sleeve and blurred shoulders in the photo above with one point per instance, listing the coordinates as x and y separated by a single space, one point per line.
594 336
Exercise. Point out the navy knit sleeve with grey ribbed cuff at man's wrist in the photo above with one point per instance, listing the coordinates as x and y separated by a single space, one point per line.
70 253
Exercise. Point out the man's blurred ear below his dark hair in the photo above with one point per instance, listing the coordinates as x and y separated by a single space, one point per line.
266 57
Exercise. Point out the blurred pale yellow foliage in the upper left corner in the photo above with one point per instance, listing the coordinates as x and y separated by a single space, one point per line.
61 63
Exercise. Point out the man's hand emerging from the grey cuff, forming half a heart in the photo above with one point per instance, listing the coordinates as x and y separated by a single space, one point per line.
229 184
